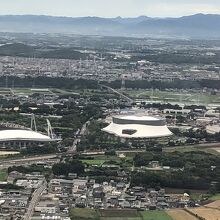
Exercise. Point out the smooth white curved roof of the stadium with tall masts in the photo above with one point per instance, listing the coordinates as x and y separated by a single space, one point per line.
22 135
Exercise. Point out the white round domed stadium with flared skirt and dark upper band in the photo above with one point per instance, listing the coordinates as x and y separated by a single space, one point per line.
133 126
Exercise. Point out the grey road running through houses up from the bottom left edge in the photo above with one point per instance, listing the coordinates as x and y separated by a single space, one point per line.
35 198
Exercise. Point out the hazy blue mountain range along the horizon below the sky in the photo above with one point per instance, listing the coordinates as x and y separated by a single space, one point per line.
195 26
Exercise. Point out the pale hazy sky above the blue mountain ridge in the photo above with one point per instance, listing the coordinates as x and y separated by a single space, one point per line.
110 8
